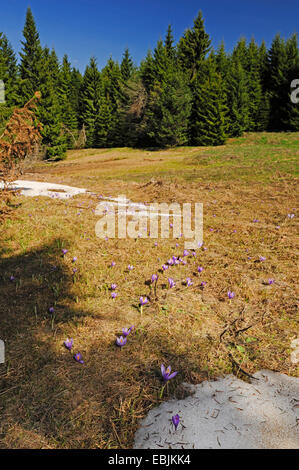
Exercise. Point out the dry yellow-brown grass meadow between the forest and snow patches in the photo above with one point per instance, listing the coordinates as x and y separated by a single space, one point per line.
47 399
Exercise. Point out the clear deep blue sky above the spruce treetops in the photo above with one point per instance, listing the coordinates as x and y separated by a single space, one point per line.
83 28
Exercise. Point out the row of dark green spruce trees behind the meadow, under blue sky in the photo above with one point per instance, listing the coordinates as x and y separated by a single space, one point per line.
181 94
